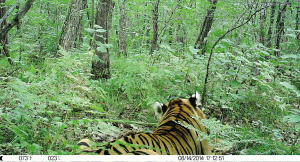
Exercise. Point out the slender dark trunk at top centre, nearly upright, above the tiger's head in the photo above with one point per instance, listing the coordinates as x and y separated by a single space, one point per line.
155 28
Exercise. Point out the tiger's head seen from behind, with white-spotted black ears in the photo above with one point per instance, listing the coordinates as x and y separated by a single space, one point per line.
190 106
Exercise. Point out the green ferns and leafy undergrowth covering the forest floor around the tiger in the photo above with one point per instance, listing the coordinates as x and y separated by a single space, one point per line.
47 107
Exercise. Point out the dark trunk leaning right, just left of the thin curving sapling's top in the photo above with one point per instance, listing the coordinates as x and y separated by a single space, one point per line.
206 26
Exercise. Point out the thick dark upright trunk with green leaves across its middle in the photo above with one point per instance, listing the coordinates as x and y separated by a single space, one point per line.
100 66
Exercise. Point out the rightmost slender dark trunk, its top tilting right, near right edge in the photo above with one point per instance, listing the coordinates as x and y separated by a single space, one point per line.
279 27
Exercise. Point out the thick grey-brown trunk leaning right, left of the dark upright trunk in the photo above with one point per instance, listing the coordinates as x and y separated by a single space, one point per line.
72 25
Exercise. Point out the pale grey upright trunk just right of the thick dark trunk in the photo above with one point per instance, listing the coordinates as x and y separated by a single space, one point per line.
123 33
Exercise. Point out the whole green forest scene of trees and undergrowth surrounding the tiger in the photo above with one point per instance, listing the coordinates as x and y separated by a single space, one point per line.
73 69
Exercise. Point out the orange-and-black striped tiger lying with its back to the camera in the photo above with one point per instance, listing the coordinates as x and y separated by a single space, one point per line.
171 136
